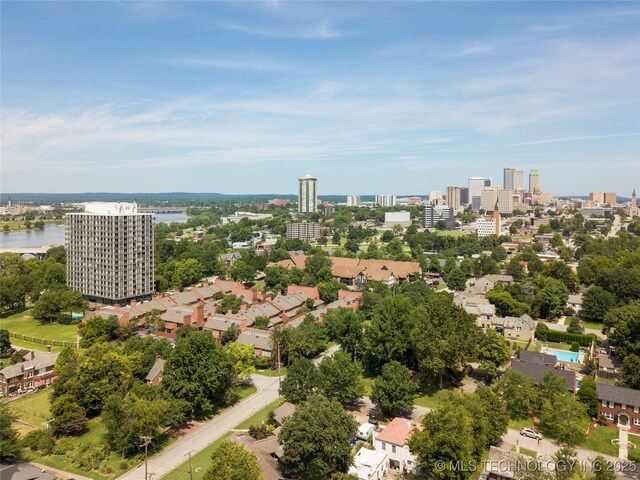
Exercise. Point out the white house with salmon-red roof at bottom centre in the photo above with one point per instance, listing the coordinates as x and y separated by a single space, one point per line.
394 441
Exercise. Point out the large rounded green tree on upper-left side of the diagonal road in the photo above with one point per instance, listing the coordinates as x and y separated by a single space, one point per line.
198 371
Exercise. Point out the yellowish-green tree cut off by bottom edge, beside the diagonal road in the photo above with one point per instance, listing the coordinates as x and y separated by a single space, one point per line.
231 461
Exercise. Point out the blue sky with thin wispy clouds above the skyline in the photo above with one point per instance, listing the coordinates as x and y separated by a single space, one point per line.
369 97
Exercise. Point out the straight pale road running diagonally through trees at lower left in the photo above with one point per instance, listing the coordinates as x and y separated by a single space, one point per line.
175 454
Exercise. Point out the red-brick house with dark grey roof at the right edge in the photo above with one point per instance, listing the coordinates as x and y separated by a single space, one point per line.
619 406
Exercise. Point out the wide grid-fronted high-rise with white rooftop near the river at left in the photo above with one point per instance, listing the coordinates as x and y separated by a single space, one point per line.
110 257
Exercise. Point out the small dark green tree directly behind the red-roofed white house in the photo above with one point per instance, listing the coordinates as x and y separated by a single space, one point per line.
393 391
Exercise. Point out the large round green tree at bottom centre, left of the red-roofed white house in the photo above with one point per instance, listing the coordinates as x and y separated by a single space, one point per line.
316 437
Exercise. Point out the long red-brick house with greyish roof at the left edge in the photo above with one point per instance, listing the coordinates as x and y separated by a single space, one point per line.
35 371
